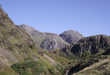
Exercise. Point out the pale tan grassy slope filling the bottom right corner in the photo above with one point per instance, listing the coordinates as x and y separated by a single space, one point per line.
100 68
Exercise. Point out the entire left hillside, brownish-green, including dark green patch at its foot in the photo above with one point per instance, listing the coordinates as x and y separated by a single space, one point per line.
18 53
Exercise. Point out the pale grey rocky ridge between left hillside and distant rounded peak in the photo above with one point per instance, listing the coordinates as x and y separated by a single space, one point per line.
49 41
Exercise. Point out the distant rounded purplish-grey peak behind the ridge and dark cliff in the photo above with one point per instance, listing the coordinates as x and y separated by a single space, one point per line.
71 36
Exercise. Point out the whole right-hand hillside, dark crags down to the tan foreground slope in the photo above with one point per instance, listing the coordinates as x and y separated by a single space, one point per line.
93 55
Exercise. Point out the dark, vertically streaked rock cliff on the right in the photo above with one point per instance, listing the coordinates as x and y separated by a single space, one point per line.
92 44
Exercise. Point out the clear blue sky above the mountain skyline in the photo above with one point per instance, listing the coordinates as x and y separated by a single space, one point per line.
89 17
